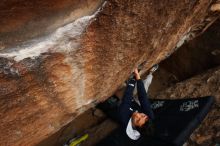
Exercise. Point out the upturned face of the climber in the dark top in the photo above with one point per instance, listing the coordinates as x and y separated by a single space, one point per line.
139 119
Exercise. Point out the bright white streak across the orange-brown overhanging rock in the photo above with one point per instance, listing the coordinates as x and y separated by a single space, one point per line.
64 39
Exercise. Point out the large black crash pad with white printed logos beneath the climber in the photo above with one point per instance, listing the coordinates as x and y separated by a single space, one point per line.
174 122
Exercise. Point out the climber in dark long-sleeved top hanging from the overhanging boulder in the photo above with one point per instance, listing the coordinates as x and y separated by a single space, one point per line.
134 114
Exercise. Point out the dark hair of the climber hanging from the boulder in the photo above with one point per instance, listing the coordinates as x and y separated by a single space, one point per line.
147 129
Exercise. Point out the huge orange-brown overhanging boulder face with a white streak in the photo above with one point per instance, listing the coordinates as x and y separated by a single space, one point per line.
57 58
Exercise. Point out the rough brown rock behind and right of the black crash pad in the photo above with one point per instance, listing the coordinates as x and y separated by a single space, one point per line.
203 85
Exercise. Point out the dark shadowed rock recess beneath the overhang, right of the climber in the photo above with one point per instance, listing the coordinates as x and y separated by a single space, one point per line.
193 58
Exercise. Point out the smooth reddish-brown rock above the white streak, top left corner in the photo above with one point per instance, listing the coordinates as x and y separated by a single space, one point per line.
22 20
